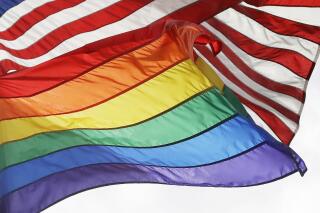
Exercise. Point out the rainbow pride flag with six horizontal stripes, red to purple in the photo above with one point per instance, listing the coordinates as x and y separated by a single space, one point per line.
154 114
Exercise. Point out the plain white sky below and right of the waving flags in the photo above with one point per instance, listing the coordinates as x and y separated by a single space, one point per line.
293 194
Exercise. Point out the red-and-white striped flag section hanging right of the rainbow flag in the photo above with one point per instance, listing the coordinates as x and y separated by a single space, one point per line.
266 60
